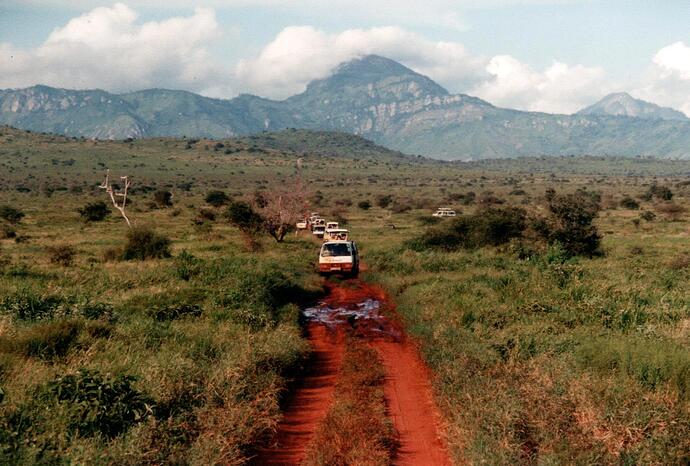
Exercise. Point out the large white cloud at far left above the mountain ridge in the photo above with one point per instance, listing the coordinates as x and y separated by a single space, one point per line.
107 48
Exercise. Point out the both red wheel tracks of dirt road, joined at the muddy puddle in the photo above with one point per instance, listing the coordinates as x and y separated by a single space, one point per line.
366 312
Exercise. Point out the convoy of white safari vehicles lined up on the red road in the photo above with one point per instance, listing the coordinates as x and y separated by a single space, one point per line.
338 254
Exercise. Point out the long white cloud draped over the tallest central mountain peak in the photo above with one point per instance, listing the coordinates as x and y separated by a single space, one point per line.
301 54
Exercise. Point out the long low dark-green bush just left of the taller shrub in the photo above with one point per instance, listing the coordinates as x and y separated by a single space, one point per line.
489 227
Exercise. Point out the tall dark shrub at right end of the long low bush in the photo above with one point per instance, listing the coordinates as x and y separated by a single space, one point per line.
571 223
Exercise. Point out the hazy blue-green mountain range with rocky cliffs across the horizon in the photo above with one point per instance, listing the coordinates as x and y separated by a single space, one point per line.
373 97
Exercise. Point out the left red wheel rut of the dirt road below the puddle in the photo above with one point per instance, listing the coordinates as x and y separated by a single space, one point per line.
309 402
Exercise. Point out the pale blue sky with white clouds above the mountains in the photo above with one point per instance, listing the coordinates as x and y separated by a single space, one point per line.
554 56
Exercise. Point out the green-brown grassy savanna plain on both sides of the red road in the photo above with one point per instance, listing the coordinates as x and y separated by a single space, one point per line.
538 358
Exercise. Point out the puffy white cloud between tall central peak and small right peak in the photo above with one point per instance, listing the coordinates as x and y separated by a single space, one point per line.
560 88
